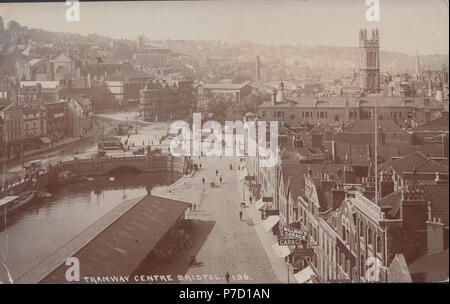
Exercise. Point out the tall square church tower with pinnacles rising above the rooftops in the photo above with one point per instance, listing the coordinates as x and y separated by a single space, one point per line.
369 65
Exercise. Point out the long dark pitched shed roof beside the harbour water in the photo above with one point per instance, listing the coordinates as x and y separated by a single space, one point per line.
116 244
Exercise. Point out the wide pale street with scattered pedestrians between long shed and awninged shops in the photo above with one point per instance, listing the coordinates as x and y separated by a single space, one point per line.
221 241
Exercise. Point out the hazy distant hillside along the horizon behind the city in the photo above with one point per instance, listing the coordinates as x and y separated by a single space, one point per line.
299 58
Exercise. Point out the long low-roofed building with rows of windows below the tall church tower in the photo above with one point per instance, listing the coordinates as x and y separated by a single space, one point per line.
340 110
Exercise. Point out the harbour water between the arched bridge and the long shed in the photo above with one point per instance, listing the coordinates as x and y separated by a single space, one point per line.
39 229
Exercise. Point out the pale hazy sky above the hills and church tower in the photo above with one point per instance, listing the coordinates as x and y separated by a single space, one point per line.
404 26
